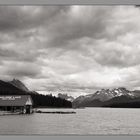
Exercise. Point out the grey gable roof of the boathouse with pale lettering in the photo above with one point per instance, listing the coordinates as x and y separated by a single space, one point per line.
15 100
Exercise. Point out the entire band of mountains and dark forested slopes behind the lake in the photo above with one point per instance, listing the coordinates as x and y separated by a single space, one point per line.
116 97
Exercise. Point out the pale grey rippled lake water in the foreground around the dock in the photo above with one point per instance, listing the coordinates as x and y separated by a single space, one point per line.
94 121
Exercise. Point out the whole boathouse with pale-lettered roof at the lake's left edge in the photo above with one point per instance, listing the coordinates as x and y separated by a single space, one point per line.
16 104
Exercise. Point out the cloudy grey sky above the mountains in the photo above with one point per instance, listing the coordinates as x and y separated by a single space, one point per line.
72 48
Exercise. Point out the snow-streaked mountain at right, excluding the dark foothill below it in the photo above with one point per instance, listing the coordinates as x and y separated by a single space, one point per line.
103 95
